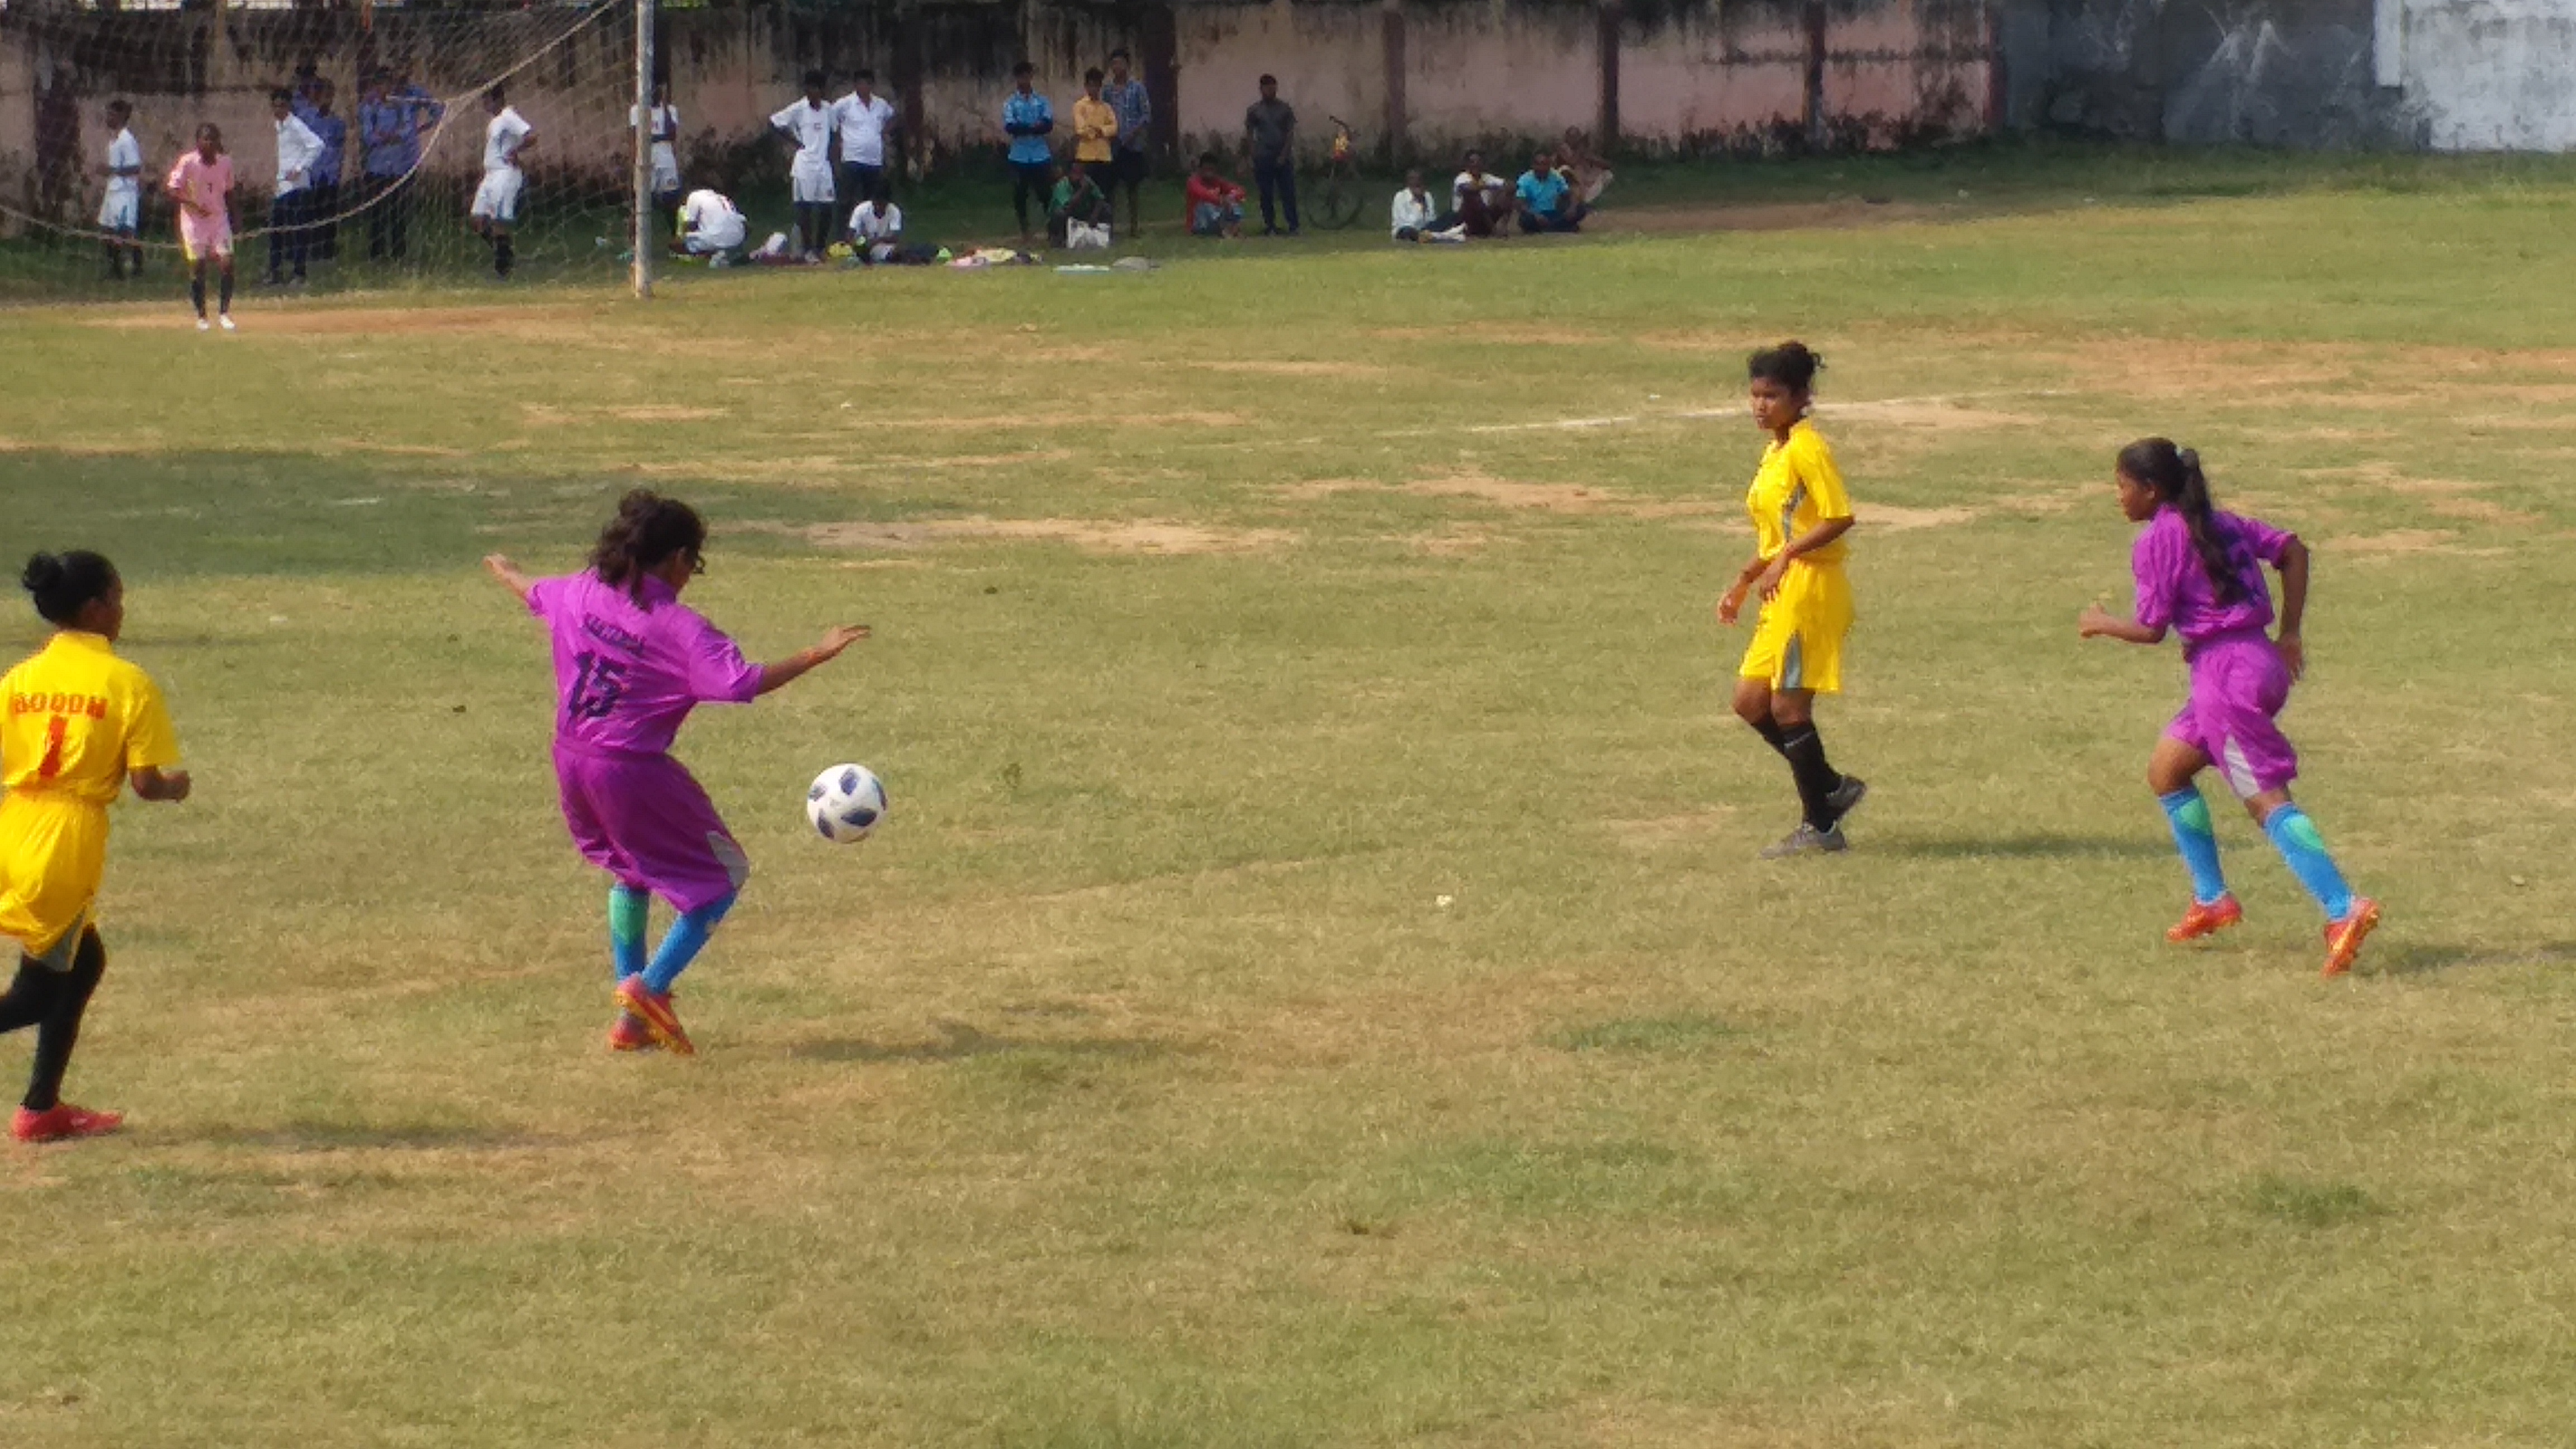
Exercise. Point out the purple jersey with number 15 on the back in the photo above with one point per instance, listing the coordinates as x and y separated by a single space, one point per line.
627 674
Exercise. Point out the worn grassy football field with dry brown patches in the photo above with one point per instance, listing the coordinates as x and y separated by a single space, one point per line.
1315 984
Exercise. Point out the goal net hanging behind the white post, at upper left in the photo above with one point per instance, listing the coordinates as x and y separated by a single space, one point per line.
390 102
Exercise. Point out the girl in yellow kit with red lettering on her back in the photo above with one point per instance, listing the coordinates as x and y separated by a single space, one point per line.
76 726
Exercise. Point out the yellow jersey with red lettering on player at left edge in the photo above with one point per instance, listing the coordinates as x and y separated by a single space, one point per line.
76 721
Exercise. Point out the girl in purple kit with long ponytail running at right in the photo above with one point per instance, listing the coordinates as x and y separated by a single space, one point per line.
2201 576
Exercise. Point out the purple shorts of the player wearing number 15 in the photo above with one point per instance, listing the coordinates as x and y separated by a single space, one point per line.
648 824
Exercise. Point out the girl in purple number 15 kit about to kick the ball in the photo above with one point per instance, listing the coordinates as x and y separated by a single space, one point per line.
630 664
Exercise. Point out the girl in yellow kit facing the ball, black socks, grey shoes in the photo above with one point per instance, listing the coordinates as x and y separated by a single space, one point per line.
1807 607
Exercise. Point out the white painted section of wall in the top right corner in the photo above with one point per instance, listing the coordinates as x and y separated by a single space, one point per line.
2485 73
